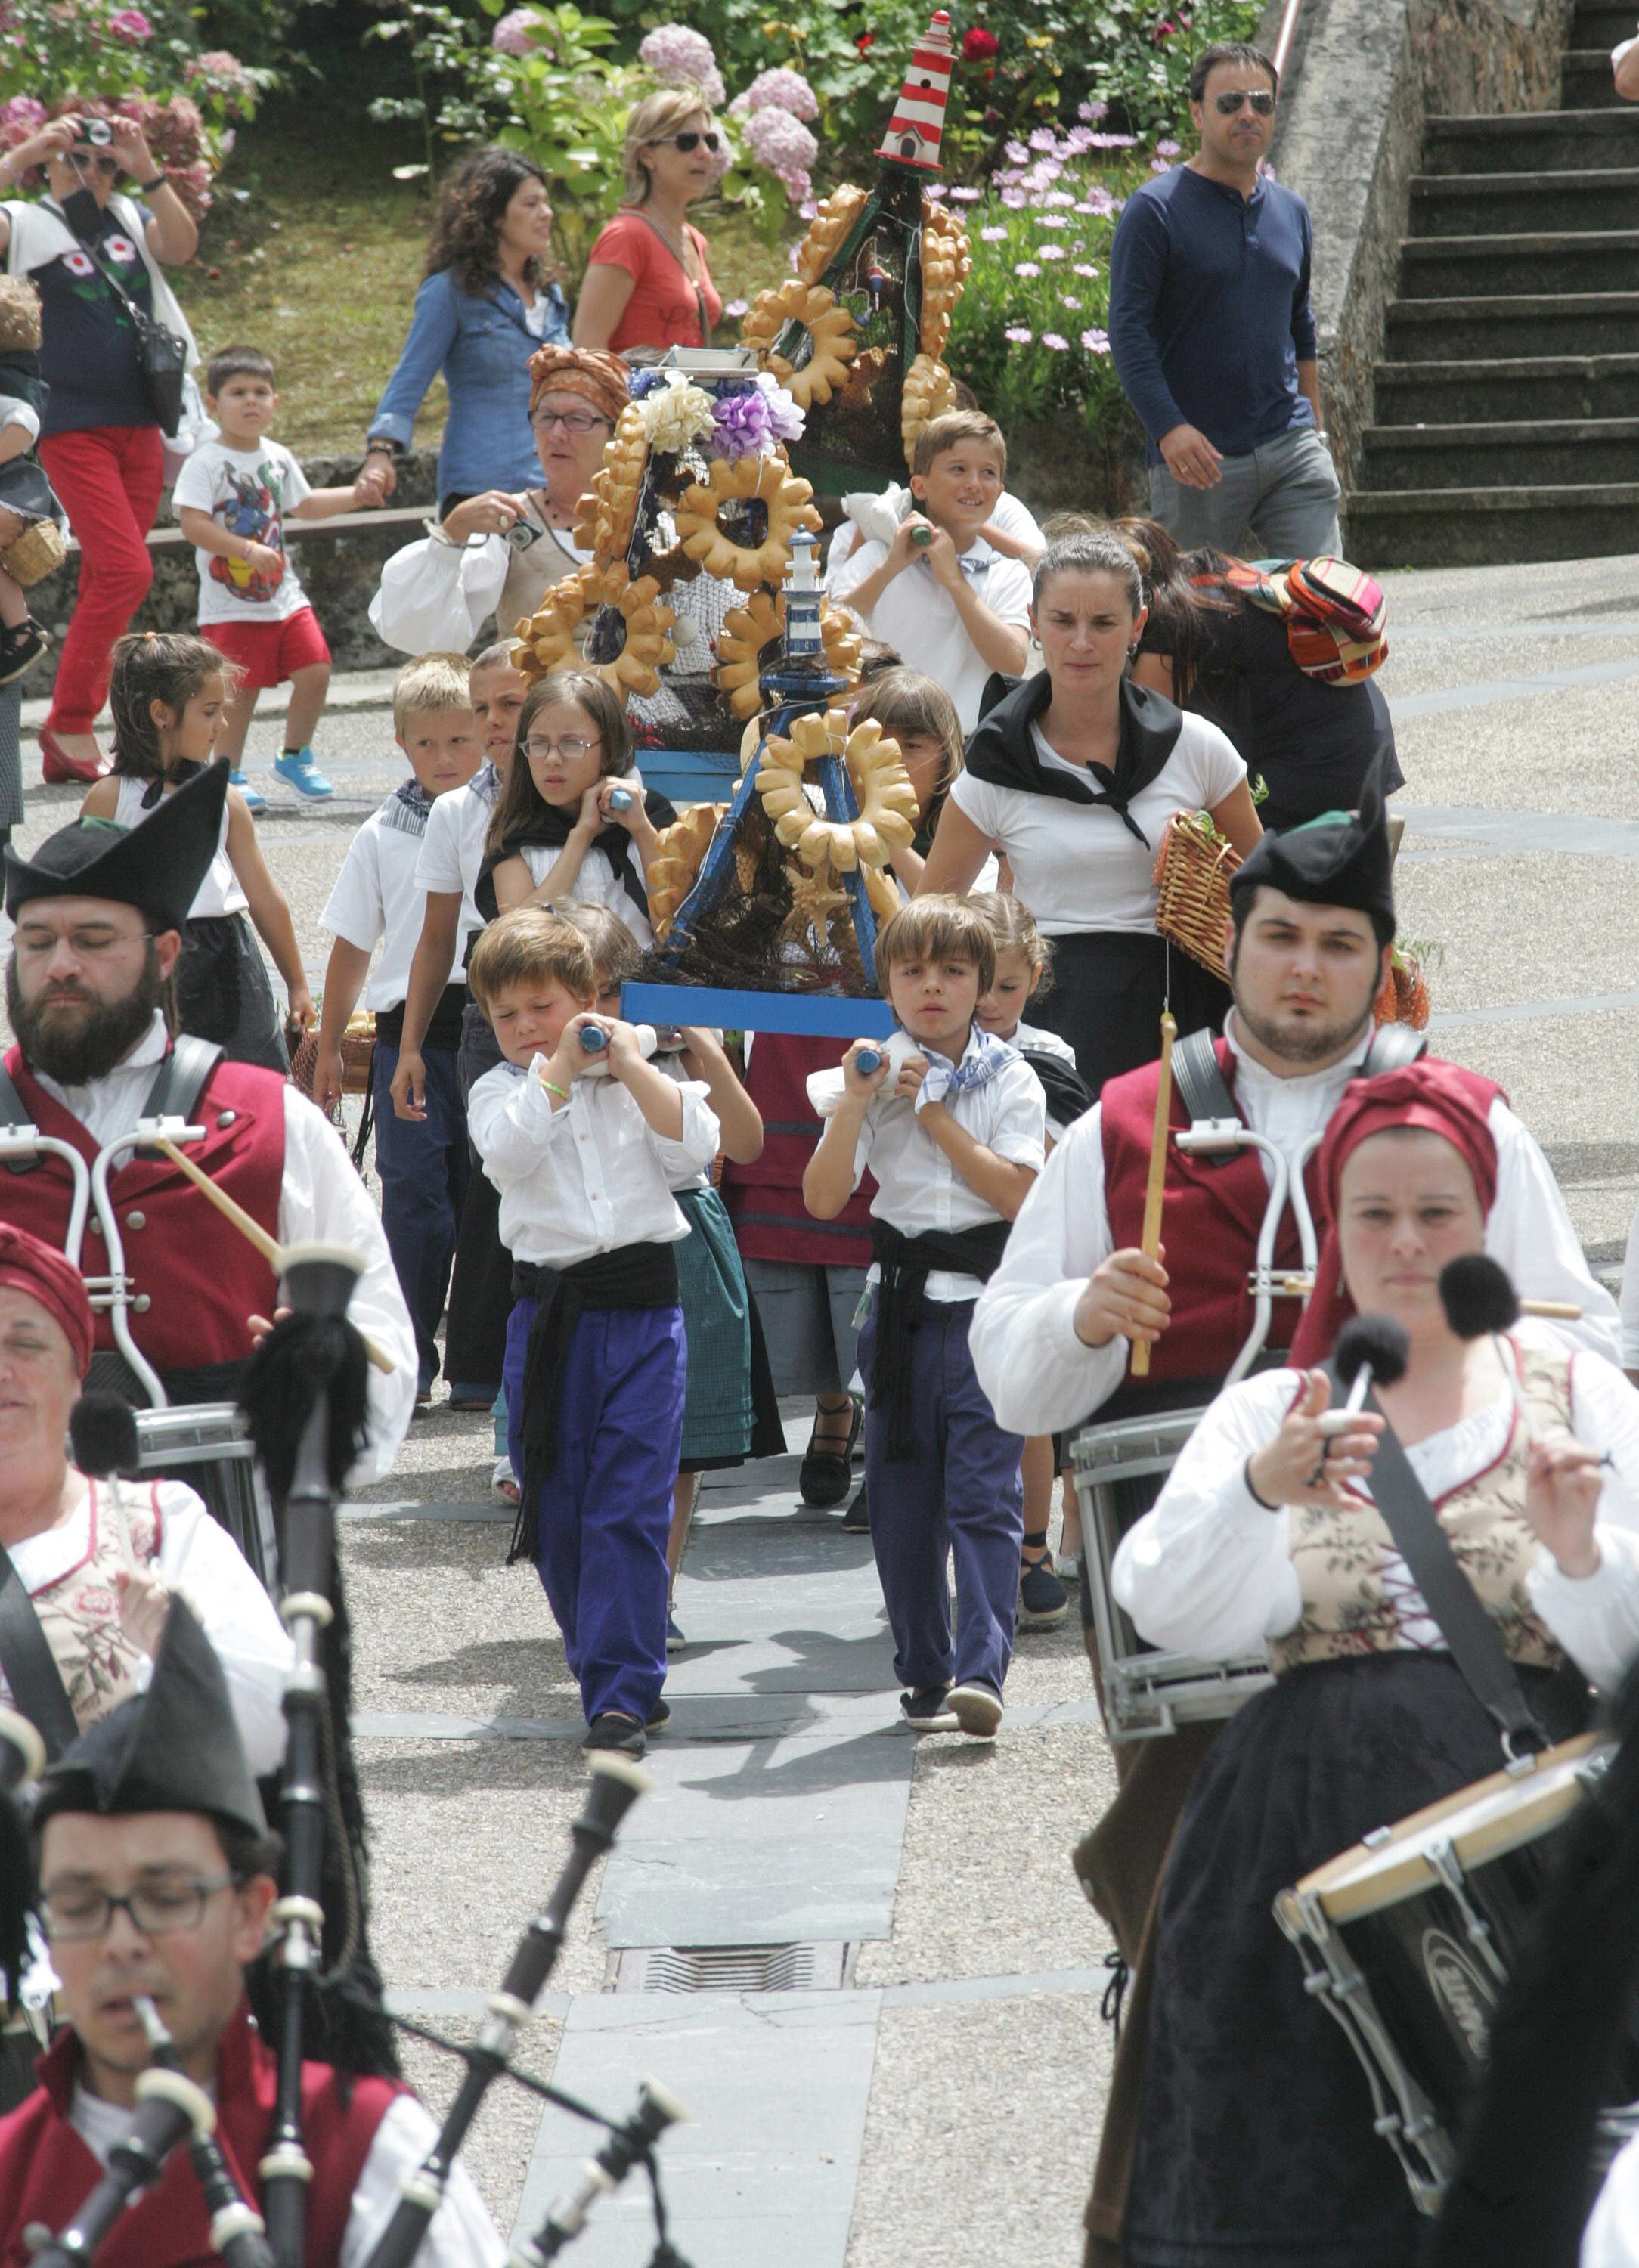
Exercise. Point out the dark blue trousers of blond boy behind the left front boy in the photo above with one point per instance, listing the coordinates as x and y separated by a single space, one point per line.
423 1169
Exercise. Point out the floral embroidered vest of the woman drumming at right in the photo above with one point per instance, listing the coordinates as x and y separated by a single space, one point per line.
1341 1557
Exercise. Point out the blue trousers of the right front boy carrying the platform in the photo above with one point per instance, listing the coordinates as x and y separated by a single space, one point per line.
962 1496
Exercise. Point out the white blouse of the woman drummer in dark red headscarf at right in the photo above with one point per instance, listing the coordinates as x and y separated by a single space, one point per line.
1209 1571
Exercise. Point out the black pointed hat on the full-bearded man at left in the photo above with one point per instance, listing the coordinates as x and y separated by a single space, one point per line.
155 865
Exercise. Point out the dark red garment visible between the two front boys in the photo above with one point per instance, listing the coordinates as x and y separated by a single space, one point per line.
765 1199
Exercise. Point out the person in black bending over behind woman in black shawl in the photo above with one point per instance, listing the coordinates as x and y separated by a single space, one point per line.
1212 650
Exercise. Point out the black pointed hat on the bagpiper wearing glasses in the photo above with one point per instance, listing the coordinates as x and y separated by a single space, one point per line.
171 1750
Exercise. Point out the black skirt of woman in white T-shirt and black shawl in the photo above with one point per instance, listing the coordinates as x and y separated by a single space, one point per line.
1107 997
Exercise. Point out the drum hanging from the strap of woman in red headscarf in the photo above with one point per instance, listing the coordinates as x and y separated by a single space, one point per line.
1411 1938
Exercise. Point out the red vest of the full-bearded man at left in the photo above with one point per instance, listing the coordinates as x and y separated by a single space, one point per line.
196 1271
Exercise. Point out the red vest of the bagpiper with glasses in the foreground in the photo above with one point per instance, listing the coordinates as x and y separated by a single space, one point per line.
46 2172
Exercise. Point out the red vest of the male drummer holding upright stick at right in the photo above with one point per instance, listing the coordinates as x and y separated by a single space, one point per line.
1209 1224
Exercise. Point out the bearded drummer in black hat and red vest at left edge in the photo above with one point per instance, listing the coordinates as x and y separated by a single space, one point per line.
99 931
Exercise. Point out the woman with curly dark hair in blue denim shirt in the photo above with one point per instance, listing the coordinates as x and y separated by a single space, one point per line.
479 316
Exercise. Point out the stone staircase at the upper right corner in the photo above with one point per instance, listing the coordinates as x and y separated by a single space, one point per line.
1509 403
